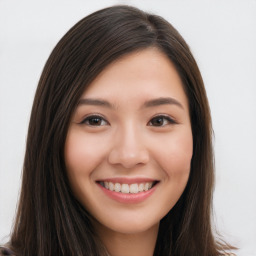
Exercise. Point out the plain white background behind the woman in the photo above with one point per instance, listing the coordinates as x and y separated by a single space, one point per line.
222 37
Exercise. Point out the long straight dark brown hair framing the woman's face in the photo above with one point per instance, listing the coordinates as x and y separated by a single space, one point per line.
50 221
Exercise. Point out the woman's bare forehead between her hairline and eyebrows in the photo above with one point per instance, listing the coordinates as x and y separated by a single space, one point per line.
138 76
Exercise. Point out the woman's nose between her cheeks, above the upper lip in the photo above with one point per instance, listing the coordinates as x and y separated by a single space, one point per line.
128 149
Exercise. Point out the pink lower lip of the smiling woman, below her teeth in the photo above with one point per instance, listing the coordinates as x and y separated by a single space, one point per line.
129 197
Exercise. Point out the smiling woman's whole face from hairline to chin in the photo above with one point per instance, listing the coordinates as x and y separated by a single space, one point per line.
129 144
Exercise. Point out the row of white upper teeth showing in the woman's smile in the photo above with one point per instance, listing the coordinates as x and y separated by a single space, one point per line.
126 188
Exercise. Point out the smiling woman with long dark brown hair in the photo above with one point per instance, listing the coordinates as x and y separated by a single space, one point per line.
119 154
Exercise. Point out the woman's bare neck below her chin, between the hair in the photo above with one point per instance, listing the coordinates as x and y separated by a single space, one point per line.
138 244
